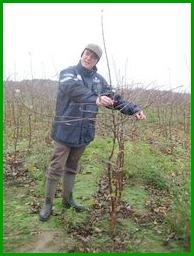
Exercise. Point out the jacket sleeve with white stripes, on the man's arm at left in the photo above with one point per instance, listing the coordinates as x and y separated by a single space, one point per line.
72 85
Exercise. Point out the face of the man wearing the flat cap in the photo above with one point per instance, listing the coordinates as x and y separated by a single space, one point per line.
89 59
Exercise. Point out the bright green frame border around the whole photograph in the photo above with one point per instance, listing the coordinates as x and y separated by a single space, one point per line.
1 115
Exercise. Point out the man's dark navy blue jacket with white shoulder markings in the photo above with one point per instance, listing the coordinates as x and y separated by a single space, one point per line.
76 109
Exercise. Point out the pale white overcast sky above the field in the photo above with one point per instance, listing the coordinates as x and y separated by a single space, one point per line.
146 43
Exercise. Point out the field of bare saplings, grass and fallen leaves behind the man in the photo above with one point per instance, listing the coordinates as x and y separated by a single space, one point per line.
134 177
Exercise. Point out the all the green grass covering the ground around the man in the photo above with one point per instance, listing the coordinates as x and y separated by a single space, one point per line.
143 168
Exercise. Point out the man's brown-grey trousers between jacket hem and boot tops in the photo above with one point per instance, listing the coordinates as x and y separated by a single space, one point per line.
64 160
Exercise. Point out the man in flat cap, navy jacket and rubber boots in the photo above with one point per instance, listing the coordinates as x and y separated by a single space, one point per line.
81 91
